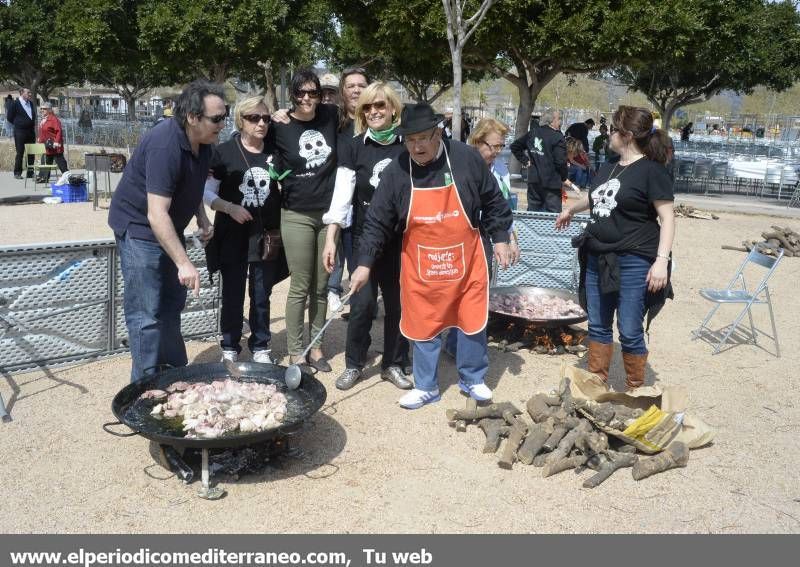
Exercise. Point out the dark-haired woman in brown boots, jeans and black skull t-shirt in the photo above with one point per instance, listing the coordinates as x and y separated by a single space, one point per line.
625 251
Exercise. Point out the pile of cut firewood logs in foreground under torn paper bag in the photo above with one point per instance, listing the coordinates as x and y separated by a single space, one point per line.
559 436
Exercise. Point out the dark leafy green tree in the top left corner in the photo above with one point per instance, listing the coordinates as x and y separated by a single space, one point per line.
30 55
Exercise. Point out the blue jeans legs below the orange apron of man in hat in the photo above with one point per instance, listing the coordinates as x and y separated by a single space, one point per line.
472 360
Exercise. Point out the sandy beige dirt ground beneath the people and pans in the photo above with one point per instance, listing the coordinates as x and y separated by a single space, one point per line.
370 466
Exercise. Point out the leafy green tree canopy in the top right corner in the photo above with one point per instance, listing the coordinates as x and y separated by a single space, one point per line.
728 45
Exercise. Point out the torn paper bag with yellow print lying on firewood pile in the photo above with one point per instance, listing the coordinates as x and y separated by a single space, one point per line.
663 418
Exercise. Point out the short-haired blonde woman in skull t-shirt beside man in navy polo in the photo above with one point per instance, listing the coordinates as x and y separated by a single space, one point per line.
245 195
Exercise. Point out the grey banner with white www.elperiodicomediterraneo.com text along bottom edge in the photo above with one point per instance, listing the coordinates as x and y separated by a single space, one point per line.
394 550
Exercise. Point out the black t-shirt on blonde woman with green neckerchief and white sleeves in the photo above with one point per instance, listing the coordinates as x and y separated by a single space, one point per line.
368 159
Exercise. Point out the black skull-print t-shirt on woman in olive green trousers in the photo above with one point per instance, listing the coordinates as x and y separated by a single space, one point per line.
308 149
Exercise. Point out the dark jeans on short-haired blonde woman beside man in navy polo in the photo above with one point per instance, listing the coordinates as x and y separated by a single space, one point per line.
262 276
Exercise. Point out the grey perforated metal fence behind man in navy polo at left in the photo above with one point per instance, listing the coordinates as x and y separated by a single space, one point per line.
64 302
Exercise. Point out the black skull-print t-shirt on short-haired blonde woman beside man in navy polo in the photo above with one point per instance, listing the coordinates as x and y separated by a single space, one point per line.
246 184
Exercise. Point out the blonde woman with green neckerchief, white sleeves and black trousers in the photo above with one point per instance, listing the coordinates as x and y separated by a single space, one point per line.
361 162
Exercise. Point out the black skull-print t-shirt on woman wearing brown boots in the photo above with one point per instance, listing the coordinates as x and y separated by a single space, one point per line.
621 200
